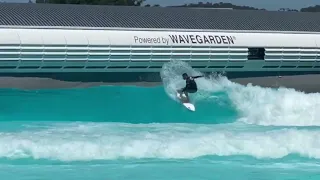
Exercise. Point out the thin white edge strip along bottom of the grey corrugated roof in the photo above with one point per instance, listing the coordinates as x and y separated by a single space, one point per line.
154 29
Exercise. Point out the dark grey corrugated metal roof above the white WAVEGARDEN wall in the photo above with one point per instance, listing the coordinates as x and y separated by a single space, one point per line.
155 17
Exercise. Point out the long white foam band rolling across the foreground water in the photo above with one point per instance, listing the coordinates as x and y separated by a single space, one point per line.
114 141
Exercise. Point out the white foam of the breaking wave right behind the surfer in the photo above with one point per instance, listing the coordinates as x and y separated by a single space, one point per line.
279 107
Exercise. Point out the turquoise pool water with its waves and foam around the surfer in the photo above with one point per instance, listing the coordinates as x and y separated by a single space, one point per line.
127 132
